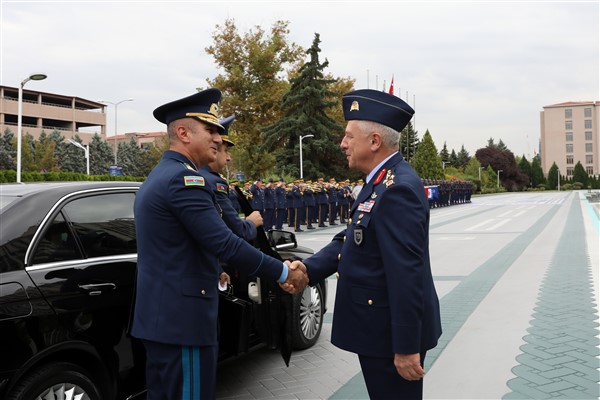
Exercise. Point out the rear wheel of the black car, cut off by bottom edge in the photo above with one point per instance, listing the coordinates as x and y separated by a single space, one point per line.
59 381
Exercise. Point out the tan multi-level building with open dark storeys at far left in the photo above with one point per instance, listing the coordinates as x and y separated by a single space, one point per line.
47 112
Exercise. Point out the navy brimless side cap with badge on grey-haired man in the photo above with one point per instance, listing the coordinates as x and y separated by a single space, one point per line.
376 106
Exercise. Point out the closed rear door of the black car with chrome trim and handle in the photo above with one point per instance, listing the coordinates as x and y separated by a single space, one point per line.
83 262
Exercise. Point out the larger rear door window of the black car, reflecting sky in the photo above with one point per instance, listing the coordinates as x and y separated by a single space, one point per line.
104 223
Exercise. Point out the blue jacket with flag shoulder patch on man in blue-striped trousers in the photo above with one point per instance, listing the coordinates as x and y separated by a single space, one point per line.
181 238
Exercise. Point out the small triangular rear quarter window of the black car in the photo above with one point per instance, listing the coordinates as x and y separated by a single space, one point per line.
57 244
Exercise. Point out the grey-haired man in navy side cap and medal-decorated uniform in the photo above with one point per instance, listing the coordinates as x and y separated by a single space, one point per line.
386 306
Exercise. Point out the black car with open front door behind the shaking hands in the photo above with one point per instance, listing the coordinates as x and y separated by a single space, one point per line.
67 271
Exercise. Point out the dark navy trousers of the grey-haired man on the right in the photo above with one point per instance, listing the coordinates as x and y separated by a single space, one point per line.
383 381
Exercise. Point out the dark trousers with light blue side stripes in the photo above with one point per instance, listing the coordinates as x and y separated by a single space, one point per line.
176 372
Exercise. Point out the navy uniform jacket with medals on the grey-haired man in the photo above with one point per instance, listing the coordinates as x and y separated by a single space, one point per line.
385 301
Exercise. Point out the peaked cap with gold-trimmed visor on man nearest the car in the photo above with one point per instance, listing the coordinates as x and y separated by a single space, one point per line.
202 106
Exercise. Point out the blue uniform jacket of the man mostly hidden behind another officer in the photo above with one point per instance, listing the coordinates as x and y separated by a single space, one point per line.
220 187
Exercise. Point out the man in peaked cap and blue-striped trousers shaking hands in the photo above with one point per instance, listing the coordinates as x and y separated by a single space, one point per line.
181 238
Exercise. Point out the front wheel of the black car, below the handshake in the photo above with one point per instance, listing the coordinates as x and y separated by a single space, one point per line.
308 317
